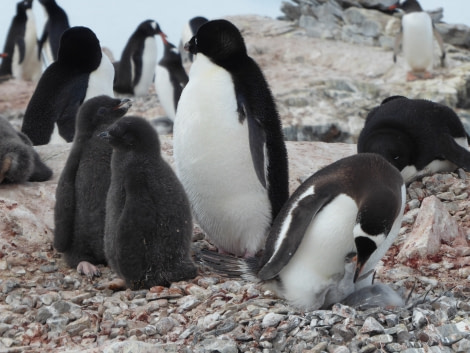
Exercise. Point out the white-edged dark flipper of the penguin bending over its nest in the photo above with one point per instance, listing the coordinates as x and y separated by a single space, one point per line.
294 225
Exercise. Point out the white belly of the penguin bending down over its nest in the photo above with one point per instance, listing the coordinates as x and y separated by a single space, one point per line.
319 262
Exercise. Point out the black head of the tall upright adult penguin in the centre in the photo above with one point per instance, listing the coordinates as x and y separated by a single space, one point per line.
220 41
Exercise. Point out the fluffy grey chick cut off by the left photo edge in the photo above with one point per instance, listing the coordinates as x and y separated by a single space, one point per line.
19 162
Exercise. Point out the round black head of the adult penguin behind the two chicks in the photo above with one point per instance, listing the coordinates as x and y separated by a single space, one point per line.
80 48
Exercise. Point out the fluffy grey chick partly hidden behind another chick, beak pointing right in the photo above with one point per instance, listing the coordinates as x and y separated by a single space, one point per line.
79 213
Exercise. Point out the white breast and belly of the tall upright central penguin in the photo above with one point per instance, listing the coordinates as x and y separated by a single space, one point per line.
214 163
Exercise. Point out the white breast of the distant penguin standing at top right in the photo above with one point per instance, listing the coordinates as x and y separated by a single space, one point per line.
418 45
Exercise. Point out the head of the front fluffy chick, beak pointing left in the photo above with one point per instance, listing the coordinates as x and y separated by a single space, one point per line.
132 133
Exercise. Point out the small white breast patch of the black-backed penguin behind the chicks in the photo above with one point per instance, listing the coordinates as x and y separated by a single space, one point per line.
100 81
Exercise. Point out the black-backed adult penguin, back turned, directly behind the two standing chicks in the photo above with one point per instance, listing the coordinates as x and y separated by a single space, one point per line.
80 72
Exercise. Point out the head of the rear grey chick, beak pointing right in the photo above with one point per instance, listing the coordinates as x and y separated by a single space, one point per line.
101 110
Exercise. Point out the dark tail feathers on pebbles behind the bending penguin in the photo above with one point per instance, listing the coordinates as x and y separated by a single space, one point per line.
230 266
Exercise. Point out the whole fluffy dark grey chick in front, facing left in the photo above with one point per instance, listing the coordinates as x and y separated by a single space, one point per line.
148 217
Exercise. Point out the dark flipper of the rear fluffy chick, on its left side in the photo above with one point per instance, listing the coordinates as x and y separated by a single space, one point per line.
64 210
